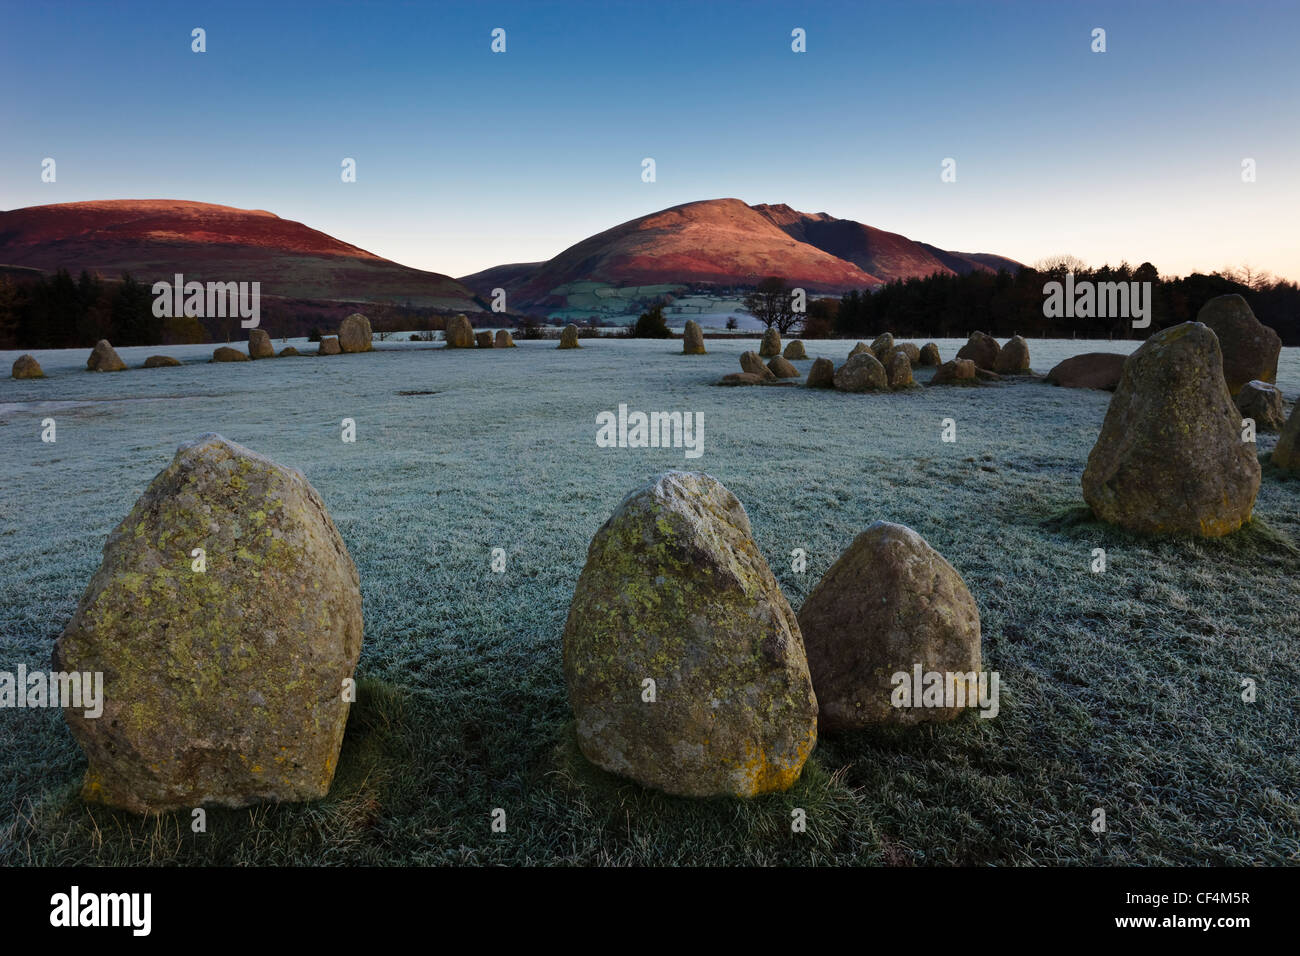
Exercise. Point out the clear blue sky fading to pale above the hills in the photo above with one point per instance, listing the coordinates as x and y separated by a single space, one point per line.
469 159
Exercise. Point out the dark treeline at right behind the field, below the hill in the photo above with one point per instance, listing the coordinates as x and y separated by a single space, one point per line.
1006 305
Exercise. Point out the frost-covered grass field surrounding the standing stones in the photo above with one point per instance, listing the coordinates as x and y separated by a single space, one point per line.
1120 690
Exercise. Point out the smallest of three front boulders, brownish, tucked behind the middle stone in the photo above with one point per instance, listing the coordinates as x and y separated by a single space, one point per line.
889 604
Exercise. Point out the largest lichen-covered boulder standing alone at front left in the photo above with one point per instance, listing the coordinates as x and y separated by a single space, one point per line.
223 686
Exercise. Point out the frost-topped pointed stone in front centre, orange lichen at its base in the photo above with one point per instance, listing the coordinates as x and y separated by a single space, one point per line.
677 592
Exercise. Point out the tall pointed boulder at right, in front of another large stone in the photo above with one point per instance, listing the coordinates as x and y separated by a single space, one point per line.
1171 457
